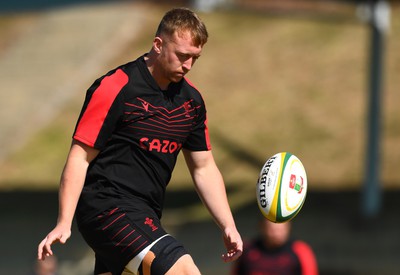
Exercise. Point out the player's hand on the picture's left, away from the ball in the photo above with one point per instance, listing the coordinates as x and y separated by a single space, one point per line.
59 234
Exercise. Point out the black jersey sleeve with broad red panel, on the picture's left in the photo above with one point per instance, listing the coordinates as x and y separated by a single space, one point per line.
101 110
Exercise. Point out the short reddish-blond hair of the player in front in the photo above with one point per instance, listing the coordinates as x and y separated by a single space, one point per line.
180 20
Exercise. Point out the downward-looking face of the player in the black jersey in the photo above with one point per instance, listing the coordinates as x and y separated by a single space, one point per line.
177 56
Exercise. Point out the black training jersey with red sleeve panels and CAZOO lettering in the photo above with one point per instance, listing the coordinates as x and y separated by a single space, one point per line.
139 130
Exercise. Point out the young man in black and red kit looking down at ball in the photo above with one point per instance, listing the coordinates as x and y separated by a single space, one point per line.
134 122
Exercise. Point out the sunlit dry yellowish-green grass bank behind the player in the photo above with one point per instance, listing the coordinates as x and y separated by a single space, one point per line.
271 84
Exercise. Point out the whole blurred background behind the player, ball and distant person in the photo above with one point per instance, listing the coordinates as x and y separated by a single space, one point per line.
317 78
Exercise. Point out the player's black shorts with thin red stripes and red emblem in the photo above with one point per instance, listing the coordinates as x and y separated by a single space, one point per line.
118 235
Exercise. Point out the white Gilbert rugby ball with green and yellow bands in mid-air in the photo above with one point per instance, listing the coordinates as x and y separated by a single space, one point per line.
281 187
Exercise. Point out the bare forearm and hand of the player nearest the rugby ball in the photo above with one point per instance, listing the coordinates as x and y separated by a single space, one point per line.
211 189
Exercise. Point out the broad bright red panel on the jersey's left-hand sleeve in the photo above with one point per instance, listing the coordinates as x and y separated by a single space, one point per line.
102 99
